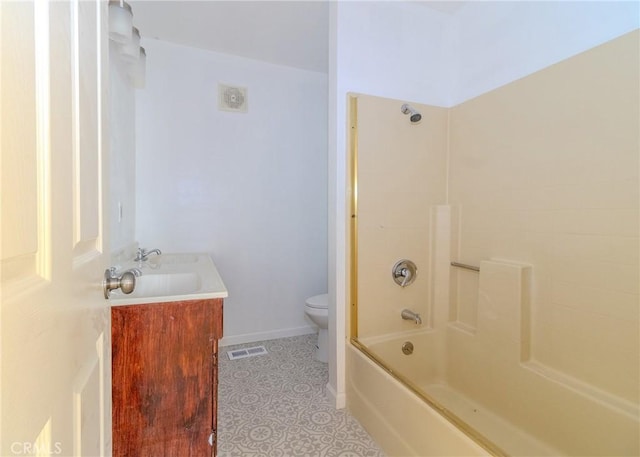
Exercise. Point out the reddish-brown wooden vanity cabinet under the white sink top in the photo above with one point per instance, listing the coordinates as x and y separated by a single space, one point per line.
165 378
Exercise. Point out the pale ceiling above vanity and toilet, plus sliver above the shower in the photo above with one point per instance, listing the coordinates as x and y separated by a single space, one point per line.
291 33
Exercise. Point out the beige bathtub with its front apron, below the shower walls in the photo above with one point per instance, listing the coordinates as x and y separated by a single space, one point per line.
412 405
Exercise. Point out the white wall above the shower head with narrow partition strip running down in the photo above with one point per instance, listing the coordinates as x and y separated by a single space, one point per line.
395 50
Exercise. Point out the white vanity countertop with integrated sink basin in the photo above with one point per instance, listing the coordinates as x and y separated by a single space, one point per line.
172 277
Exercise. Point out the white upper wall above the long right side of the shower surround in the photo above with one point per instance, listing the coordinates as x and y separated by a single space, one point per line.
496 43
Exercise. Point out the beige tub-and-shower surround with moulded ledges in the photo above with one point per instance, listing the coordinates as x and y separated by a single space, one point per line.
537 184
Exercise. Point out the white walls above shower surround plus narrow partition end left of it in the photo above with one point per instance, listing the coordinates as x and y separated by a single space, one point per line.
411 52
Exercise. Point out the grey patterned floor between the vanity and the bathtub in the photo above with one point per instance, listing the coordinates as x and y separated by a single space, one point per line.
274 405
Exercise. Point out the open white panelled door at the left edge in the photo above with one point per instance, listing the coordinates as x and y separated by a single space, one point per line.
54 322
